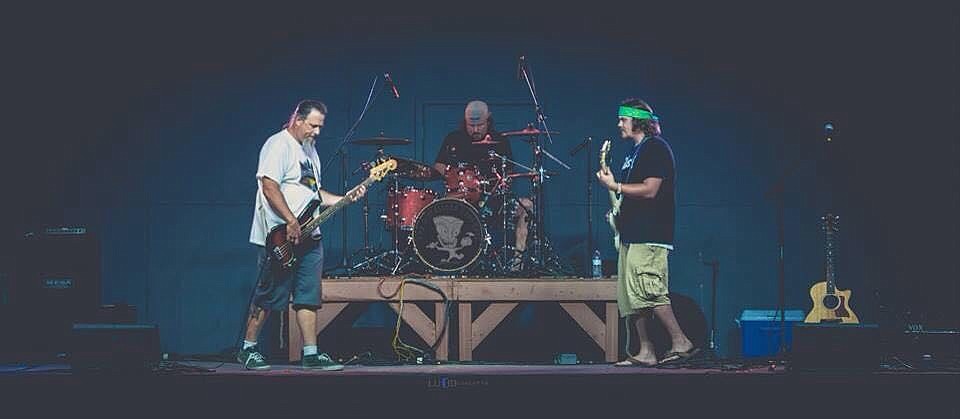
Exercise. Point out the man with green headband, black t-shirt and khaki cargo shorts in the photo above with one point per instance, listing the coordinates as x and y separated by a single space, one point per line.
645 223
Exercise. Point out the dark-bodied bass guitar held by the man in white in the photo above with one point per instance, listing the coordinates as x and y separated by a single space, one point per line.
282 251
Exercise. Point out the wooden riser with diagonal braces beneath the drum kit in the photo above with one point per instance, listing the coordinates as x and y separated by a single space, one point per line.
503 295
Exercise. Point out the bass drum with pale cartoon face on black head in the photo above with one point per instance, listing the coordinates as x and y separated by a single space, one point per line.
448 235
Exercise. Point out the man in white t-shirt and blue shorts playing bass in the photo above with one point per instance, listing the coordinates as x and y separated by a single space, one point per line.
288 177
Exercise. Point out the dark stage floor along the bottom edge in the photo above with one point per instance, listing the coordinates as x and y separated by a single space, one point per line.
211 389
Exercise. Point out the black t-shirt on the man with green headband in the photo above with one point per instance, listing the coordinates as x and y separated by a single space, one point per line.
644 220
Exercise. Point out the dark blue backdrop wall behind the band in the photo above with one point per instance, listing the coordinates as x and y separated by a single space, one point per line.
148 132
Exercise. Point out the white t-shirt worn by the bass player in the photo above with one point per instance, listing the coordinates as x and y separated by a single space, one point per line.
296 168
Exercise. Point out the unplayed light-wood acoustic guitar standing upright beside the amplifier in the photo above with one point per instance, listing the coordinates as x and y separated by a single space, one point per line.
829 303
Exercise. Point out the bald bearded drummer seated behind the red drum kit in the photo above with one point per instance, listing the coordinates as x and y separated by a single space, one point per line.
460 146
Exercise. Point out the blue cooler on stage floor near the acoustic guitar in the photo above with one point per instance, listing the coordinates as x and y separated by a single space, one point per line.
760 331
